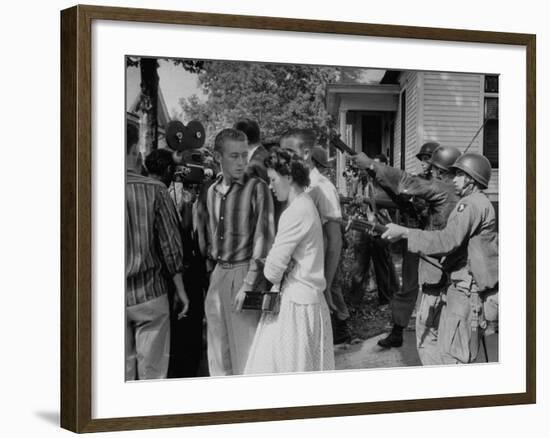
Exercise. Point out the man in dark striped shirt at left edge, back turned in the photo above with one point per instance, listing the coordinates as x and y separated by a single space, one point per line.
153 247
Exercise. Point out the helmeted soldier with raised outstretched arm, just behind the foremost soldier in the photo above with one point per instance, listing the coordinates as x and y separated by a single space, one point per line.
438 195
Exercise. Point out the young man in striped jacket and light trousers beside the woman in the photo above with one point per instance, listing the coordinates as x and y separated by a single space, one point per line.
241 232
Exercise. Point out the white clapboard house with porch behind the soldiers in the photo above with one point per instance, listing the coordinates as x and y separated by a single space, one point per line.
409 108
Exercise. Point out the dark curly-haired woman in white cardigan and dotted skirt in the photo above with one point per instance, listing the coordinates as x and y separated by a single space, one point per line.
299 336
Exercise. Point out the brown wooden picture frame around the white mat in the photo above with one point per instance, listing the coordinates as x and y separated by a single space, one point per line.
76 217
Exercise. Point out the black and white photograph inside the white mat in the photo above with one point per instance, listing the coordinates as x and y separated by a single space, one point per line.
290 218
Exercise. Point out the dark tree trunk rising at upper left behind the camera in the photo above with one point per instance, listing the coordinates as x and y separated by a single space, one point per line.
149 96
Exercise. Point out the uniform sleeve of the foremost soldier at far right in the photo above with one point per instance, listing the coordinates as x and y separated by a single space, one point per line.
462 223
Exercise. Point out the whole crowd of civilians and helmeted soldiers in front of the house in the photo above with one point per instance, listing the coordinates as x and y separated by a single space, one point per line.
271 221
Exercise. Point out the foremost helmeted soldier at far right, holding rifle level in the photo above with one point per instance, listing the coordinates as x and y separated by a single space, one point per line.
470 245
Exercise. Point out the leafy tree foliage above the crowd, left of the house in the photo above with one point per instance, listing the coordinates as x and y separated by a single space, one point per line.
277 96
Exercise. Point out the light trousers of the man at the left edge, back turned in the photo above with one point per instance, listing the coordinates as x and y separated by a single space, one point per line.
148 339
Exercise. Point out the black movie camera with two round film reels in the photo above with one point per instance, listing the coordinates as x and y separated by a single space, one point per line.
194 165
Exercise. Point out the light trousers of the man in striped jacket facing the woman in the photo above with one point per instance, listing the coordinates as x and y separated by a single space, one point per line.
229 334
